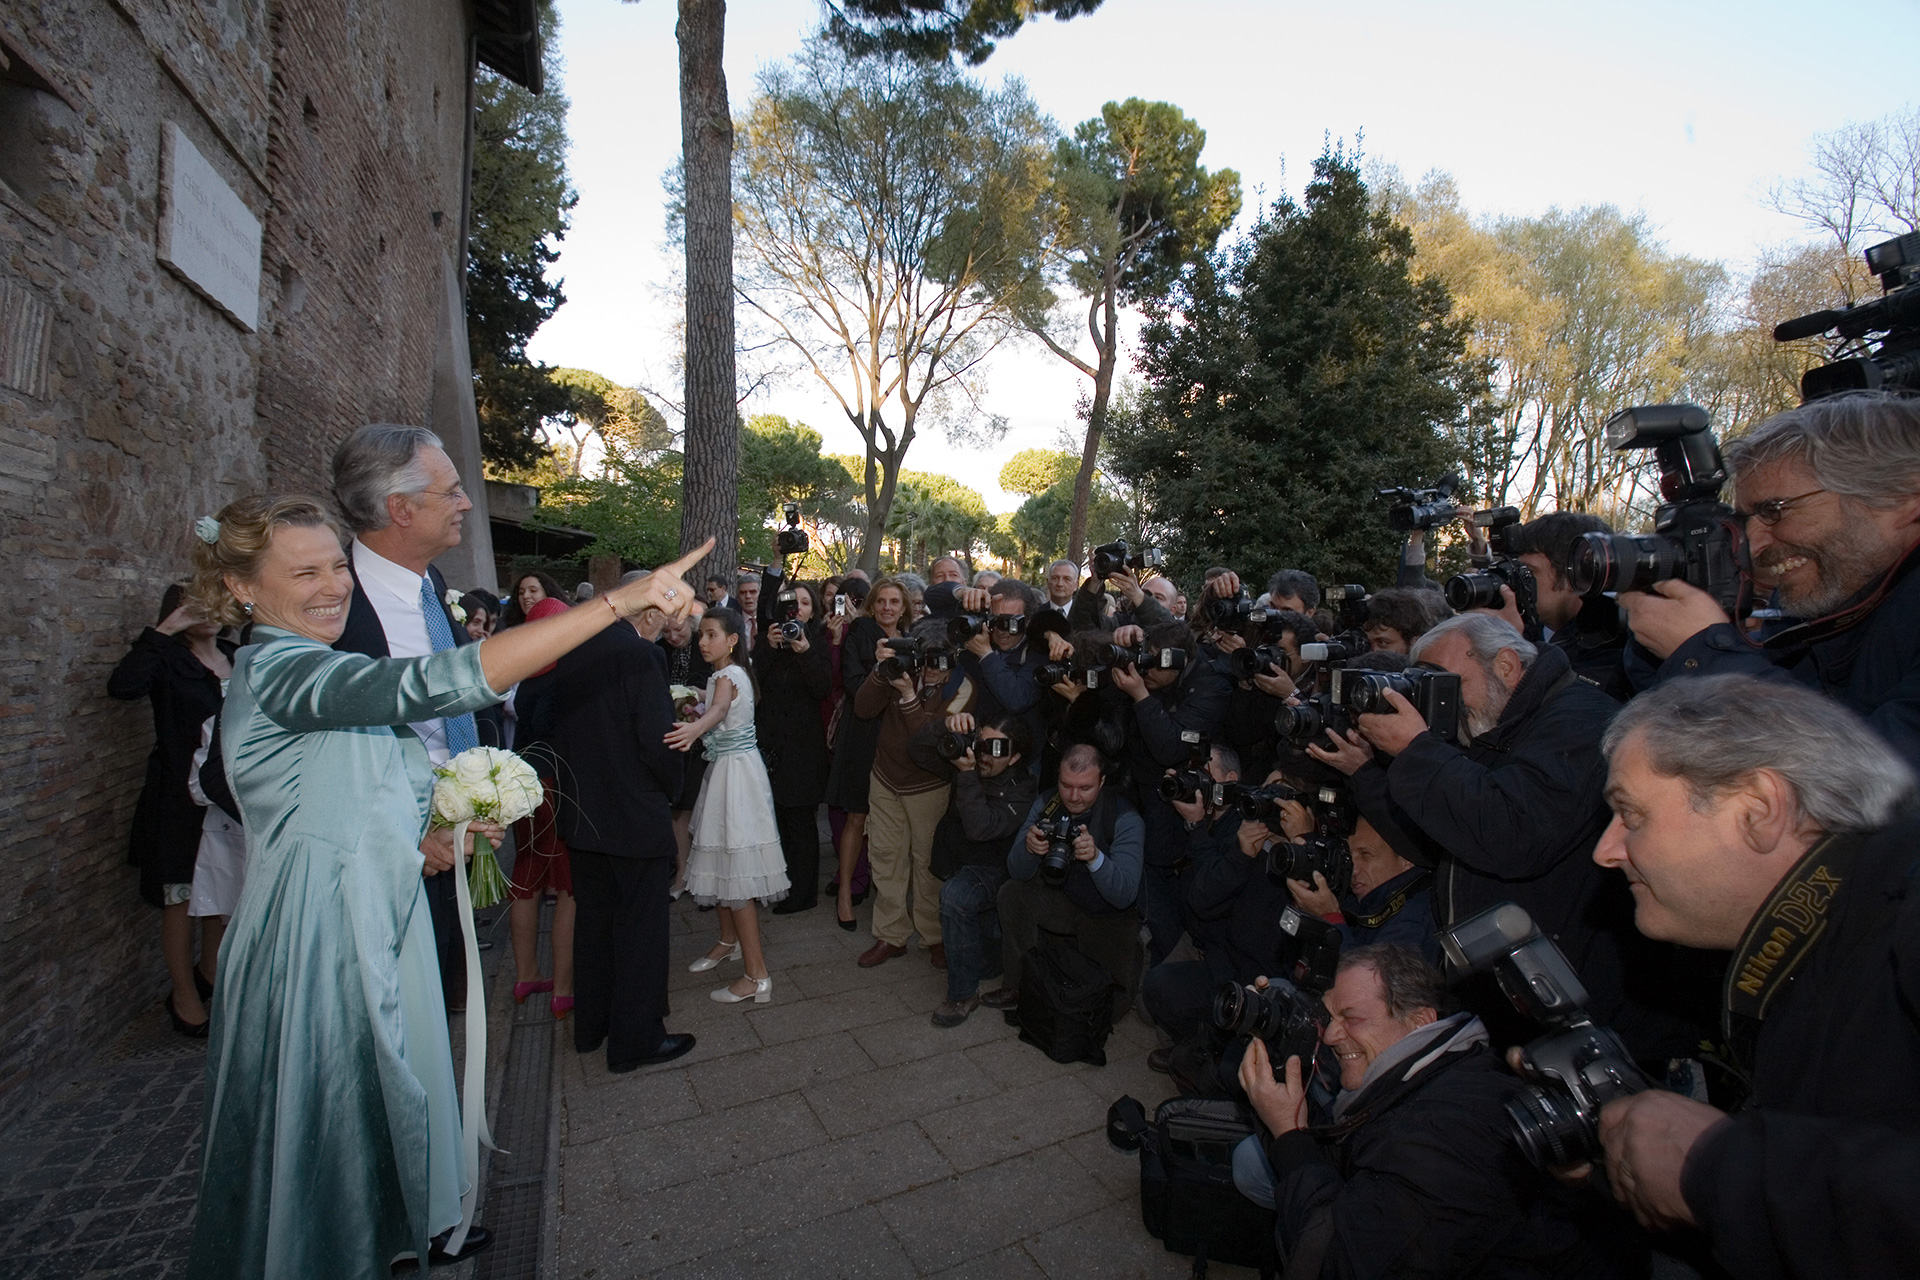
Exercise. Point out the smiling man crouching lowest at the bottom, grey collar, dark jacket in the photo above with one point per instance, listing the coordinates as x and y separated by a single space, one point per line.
1418 1173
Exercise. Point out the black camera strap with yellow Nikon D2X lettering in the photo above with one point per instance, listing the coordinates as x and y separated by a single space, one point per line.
1781 937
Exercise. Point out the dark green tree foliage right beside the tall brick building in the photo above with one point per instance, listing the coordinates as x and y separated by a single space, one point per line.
521 202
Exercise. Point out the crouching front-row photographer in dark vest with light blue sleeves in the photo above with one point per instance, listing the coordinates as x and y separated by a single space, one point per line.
1095 901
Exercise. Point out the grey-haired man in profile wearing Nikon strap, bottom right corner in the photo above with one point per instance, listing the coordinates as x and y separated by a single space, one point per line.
1775 822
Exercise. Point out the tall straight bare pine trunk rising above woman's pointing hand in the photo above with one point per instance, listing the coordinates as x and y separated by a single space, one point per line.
711 485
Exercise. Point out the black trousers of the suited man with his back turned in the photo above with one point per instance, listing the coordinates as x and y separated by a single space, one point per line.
621 939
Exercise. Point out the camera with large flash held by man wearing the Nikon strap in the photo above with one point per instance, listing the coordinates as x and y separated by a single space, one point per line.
1577 1068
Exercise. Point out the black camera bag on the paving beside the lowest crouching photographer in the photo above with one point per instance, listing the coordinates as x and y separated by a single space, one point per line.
1188 1193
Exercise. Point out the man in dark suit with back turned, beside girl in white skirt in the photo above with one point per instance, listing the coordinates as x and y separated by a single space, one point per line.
612 713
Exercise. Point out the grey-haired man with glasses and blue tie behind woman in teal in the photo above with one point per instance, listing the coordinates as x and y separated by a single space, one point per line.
404 504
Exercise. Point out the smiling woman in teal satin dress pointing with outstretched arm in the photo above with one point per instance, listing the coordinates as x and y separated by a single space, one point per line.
333 1129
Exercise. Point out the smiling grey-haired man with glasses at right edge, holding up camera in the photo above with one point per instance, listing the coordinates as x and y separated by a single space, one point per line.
1831 496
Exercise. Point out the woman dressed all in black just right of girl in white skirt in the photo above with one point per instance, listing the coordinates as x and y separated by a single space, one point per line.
794 680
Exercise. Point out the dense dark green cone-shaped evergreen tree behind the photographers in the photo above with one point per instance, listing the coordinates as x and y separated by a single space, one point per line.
1293 377
